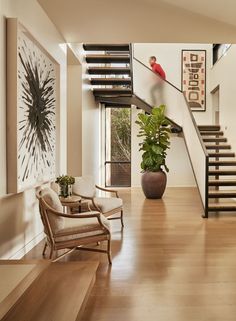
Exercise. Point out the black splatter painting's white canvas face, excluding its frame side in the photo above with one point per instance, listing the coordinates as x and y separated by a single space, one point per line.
36 114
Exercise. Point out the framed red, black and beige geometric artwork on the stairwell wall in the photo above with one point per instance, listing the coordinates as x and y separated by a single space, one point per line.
194 78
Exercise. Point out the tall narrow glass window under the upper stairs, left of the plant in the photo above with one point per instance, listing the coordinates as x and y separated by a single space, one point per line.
118 146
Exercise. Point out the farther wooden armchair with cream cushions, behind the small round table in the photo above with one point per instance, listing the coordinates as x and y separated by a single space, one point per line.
108 206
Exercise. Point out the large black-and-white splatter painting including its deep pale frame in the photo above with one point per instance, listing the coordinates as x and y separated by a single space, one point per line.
32 102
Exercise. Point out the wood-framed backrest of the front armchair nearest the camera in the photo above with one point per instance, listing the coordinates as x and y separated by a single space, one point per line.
48 201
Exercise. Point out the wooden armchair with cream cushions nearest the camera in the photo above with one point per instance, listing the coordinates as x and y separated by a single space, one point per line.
71 232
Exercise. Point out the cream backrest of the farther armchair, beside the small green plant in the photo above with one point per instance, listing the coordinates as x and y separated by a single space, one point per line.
84 187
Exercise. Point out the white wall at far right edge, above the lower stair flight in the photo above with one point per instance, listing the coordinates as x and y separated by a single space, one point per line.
223 75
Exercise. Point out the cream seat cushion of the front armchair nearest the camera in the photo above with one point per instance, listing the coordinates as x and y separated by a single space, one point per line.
81 227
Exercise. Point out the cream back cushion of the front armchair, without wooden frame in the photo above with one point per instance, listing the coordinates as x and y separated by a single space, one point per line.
52 199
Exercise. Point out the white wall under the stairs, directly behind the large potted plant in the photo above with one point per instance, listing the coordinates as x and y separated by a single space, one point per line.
177 160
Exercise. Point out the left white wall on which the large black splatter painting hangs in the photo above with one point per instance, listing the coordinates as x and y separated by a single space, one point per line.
20 224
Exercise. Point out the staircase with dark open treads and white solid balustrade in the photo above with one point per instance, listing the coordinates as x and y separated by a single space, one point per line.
110 69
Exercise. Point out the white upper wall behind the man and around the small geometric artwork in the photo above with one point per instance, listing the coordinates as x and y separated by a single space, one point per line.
169 56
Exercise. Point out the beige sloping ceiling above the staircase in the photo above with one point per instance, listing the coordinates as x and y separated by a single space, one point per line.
203 21
